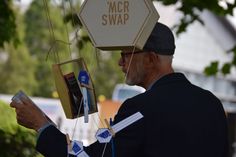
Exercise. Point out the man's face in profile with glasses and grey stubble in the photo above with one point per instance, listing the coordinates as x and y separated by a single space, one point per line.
132 66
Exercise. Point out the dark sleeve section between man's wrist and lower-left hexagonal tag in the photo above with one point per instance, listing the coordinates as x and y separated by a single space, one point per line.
52 142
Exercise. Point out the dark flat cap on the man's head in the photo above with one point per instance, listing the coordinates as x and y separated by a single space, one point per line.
161 40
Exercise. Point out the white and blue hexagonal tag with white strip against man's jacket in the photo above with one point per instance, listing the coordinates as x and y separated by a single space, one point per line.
104 135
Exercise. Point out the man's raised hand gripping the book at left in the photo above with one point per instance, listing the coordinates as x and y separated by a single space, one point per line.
28 114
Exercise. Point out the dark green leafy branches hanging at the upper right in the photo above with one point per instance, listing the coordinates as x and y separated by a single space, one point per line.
191 10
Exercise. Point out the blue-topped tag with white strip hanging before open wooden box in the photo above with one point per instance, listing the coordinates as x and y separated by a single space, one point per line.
84 80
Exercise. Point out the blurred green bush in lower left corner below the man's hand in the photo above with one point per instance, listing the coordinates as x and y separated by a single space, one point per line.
15 141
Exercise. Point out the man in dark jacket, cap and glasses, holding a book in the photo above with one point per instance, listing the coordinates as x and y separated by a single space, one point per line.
179 118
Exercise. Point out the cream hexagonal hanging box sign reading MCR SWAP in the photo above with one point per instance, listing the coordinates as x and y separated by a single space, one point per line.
118 24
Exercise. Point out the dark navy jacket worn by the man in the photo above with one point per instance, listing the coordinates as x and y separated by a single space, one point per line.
180 120
